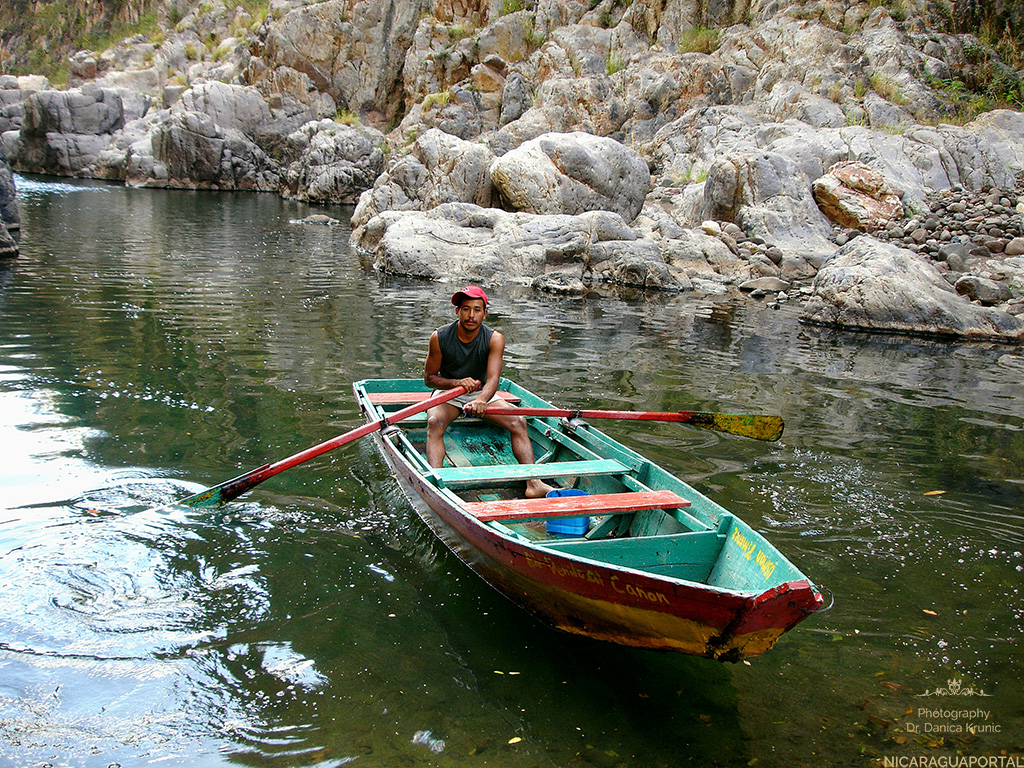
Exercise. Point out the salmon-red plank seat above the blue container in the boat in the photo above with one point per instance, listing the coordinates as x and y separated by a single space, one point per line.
506 510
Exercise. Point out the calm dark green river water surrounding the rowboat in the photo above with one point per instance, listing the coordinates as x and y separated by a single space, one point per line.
153 344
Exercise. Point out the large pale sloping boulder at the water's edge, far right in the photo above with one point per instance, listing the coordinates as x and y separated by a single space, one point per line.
876 286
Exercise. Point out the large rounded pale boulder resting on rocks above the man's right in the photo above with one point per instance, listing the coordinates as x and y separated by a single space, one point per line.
573 174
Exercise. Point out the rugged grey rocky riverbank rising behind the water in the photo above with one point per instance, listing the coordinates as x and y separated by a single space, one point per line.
801 152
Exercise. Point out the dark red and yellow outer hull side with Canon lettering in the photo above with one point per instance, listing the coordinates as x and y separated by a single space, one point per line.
603 602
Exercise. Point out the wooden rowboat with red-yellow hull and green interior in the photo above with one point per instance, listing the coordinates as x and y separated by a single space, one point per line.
642 560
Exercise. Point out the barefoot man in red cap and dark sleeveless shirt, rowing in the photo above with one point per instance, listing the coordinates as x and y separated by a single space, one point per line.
468 354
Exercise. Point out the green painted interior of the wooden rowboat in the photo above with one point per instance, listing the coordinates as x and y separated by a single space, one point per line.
701 543
